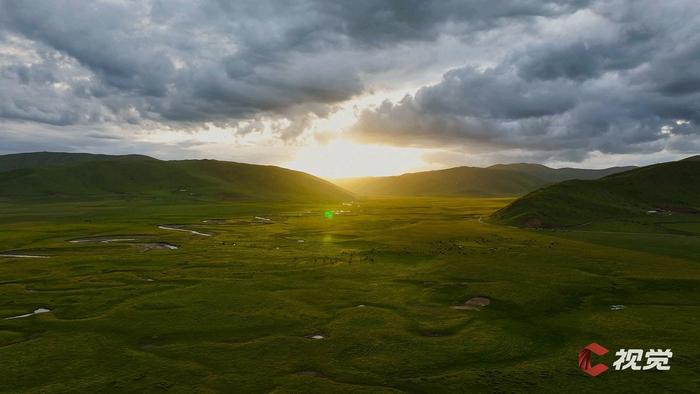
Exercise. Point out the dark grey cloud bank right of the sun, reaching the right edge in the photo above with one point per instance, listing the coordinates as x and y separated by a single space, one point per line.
633 87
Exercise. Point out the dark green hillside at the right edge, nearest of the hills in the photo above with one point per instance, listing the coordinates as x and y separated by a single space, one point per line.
659 188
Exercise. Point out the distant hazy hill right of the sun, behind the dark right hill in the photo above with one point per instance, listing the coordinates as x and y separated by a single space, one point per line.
498 180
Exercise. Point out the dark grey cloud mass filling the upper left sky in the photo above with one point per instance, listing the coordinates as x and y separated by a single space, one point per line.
217 61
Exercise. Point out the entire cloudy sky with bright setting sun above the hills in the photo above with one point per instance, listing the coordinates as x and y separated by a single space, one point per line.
354 88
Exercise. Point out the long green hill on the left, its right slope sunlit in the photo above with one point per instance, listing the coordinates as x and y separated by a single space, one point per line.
81 176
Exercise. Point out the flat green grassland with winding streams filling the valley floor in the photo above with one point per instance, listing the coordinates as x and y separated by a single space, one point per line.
234 311
